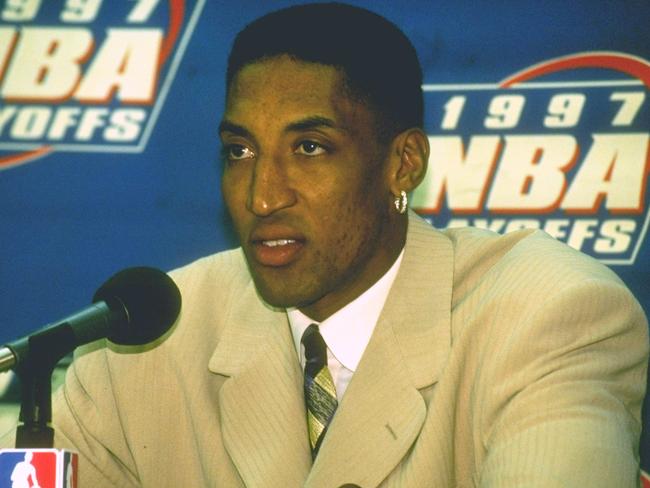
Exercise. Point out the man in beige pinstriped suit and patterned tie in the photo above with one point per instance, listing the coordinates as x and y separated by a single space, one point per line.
461 358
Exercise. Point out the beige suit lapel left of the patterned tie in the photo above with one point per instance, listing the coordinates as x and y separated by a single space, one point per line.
261 403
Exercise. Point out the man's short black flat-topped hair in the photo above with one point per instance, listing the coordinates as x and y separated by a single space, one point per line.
379 64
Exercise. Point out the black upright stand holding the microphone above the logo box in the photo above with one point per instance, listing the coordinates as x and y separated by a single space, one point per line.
39 354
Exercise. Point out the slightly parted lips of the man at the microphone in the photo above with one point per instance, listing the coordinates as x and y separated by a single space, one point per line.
276 247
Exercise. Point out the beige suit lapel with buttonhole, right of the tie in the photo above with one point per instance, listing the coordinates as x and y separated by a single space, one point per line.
382 412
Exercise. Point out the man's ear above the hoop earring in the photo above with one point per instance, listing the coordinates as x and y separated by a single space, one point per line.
410 158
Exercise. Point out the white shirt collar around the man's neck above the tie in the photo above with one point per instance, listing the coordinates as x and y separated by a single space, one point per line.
347 332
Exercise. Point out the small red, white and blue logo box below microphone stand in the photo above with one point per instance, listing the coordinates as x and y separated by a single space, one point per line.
38 468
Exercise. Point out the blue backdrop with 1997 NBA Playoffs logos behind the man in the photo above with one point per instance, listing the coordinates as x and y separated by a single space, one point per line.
537 114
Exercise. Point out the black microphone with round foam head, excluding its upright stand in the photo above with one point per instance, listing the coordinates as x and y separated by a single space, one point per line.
134 307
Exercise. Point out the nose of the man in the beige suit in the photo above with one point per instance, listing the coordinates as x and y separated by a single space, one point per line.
269 190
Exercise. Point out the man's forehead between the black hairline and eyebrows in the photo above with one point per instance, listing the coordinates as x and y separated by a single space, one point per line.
281 89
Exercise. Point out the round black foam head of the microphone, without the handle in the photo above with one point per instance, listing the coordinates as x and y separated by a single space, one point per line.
152 302
